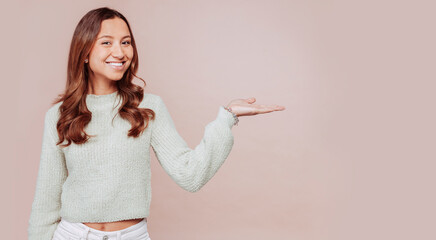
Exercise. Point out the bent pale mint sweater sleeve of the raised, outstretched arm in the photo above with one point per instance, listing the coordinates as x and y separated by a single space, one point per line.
191 168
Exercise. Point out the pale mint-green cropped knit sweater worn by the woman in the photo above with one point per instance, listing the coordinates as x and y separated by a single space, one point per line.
107 179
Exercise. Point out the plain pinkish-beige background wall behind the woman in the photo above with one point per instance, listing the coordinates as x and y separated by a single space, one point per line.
350 158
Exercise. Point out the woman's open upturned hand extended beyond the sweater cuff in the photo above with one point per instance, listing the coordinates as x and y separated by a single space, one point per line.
246 107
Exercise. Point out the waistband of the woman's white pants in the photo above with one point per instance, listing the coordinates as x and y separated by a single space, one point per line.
85 230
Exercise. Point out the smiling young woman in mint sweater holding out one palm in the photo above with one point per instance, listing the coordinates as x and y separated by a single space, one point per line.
94 174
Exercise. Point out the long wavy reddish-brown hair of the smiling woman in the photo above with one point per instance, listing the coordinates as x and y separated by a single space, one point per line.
74 114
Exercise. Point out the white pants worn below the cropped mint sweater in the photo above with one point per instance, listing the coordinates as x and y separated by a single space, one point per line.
79 231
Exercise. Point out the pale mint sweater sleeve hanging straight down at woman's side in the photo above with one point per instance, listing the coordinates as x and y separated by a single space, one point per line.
44 216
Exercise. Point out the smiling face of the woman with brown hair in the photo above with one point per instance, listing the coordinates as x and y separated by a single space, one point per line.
112 53
